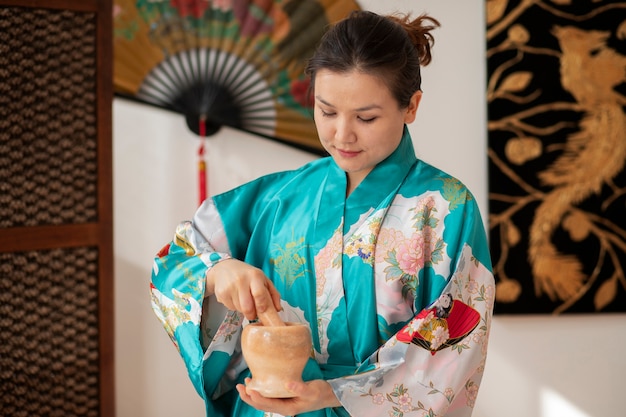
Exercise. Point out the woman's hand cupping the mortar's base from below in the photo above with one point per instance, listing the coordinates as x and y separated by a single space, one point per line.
308 396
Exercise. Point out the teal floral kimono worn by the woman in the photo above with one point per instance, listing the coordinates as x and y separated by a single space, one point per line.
394 281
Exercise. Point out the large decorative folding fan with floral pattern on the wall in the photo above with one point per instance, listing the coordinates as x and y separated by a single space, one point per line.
236 63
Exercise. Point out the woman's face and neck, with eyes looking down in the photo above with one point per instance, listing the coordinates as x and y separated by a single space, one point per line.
358 120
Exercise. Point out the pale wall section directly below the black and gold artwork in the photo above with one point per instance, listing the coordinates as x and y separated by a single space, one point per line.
540 366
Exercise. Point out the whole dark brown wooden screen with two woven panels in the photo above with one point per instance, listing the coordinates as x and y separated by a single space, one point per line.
56 257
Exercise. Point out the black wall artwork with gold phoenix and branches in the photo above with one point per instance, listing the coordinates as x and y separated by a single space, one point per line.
557 154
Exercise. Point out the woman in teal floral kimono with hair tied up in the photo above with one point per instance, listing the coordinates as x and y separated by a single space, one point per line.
382 255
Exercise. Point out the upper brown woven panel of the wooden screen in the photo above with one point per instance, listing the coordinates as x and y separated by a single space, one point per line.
48 166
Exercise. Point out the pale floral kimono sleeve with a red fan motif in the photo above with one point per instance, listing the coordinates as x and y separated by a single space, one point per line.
433 366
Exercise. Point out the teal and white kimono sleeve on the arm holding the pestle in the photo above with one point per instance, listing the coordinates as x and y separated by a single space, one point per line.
205 333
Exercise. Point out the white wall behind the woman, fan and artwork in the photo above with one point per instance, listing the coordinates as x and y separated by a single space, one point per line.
538 365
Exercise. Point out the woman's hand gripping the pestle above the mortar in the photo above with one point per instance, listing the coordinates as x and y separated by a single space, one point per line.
242 287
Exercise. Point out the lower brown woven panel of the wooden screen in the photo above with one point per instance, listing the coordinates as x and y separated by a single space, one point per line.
49 362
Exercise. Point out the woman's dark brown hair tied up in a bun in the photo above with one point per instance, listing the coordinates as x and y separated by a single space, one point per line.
389 47
